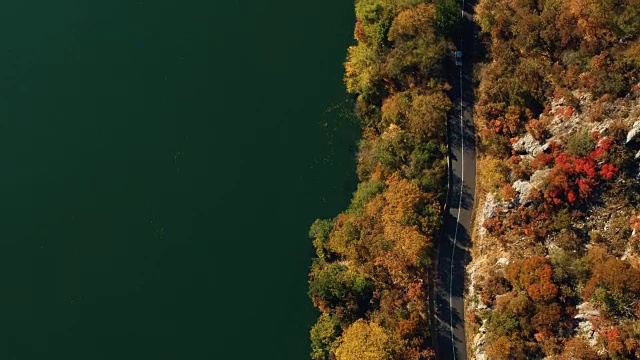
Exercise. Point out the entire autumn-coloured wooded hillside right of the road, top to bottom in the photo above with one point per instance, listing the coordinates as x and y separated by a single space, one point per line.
564 74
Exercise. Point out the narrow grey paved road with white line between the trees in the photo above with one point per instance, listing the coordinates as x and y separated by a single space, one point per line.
452 253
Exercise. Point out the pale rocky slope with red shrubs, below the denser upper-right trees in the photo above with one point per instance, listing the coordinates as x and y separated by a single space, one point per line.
568 215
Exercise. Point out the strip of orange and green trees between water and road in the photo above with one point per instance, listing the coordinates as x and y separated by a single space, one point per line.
370 276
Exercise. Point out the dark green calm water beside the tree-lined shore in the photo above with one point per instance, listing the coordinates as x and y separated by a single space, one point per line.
161 162
